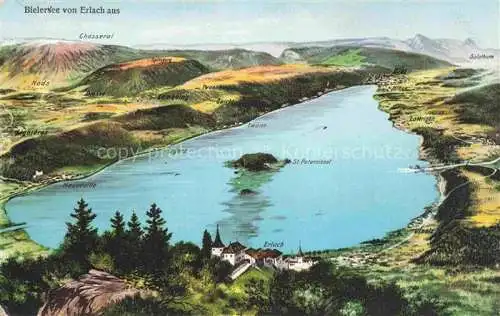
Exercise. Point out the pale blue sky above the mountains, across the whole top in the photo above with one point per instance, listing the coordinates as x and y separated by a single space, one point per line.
231 21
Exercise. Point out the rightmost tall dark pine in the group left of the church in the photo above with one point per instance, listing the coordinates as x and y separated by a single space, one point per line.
156 242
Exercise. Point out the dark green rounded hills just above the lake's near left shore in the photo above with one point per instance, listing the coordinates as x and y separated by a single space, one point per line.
82 147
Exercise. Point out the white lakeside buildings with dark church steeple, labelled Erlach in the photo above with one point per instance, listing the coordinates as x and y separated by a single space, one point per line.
236 254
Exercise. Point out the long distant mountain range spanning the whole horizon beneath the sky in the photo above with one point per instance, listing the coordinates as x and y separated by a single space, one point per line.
54 63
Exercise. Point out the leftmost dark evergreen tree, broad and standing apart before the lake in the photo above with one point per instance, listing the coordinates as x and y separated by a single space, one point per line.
81 237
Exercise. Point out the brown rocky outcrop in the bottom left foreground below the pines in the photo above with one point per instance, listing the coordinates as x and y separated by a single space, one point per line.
87 296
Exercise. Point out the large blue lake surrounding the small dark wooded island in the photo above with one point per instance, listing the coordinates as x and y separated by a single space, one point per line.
360 195
